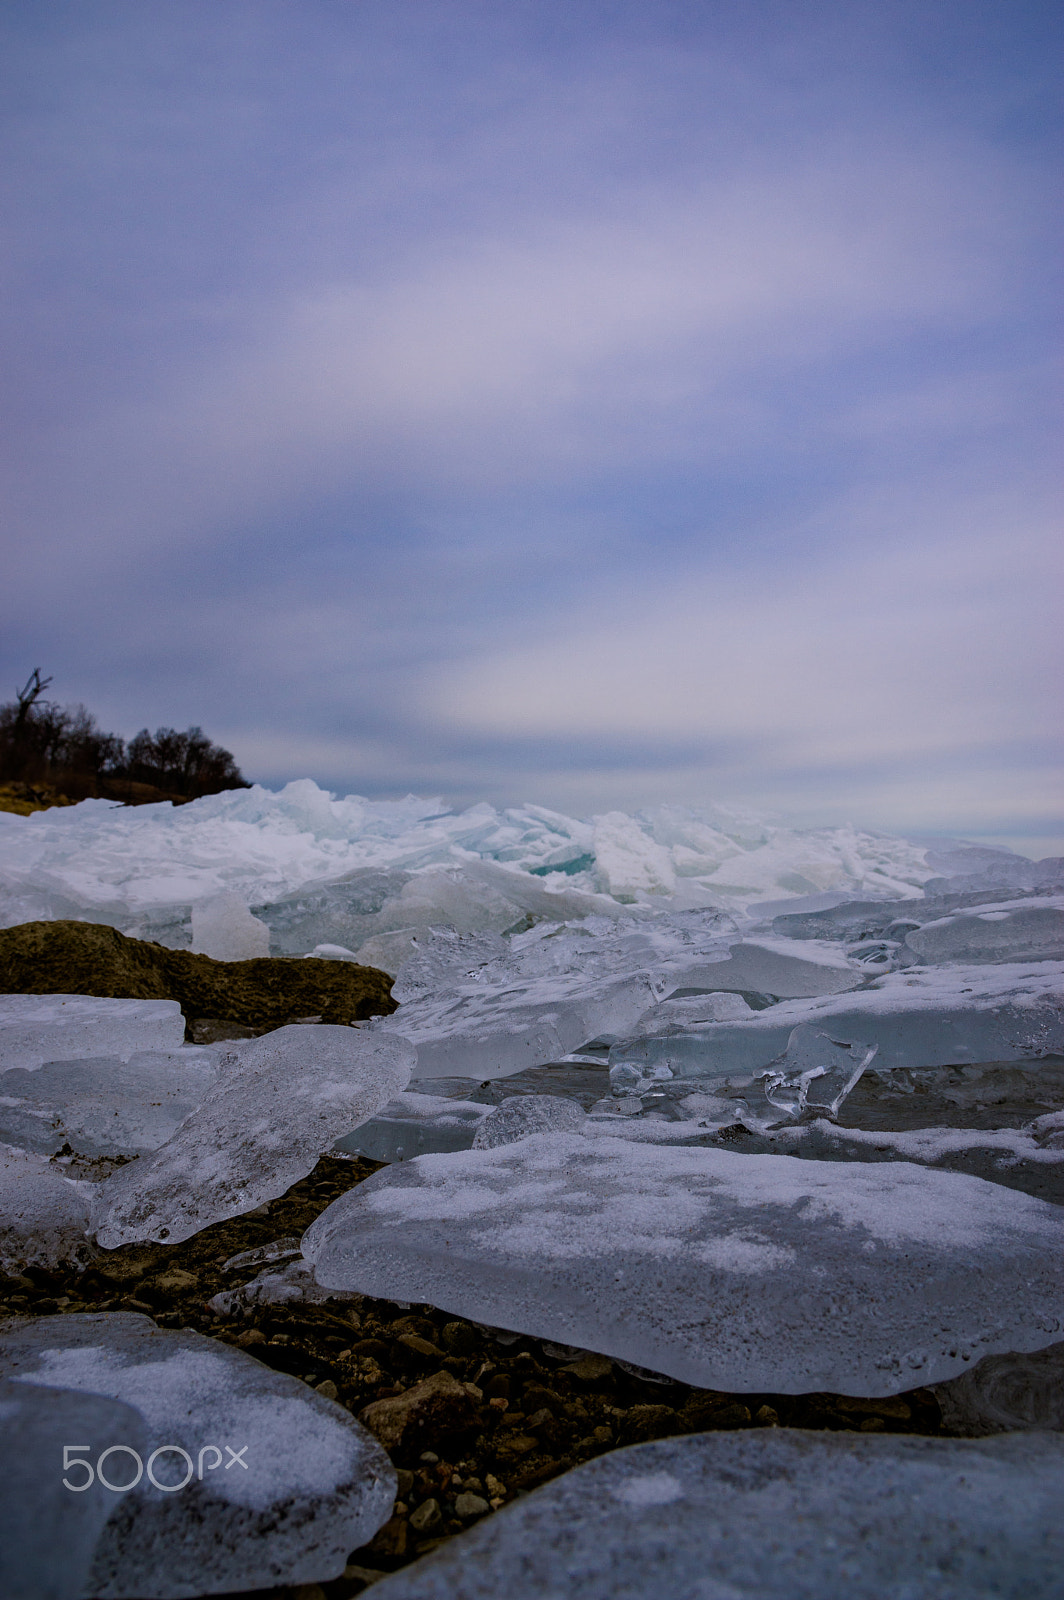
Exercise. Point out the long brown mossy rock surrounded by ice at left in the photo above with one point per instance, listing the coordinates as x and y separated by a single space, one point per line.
92 959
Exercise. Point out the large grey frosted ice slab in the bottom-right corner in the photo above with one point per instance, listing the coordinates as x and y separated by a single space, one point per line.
774 1516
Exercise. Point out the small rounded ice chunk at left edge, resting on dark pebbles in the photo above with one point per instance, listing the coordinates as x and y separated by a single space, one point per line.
44 1217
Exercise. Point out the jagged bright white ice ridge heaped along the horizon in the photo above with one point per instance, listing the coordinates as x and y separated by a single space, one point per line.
135 866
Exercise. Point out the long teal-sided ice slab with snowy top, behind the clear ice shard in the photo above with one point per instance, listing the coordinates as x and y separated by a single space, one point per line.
919 1018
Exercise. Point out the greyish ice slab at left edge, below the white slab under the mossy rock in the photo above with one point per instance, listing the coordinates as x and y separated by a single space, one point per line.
105 1106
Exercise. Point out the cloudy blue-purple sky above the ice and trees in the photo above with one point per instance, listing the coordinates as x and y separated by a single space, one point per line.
580 402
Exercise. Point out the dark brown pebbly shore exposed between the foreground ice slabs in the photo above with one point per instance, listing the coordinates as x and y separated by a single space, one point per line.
471 1417
